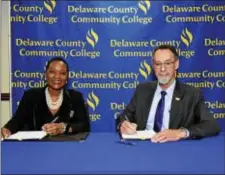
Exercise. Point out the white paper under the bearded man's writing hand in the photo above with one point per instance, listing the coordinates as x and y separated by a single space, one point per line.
145 134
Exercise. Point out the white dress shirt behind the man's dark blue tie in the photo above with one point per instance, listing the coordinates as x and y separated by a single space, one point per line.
166 113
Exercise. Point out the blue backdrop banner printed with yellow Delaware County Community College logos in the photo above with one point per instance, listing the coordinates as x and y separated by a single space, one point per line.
109 44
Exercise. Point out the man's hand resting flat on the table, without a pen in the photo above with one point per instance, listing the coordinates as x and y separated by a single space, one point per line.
169 135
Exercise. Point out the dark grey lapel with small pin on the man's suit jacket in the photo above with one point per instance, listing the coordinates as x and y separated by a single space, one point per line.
176 107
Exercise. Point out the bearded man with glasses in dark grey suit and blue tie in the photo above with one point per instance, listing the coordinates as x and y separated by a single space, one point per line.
173 110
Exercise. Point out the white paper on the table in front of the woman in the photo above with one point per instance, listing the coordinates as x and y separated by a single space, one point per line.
25 135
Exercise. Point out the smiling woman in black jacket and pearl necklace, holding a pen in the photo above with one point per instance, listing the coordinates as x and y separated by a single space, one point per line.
52 108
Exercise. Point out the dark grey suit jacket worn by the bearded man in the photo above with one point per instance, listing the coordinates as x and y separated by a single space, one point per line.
188 110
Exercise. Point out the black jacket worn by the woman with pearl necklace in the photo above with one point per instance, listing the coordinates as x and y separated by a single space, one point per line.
33 112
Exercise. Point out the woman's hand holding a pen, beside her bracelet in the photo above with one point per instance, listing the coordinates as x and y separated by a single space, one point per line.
53 128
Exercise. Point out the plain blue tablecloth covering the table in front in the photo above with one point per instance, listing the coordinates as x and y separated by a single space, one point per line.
101 154
